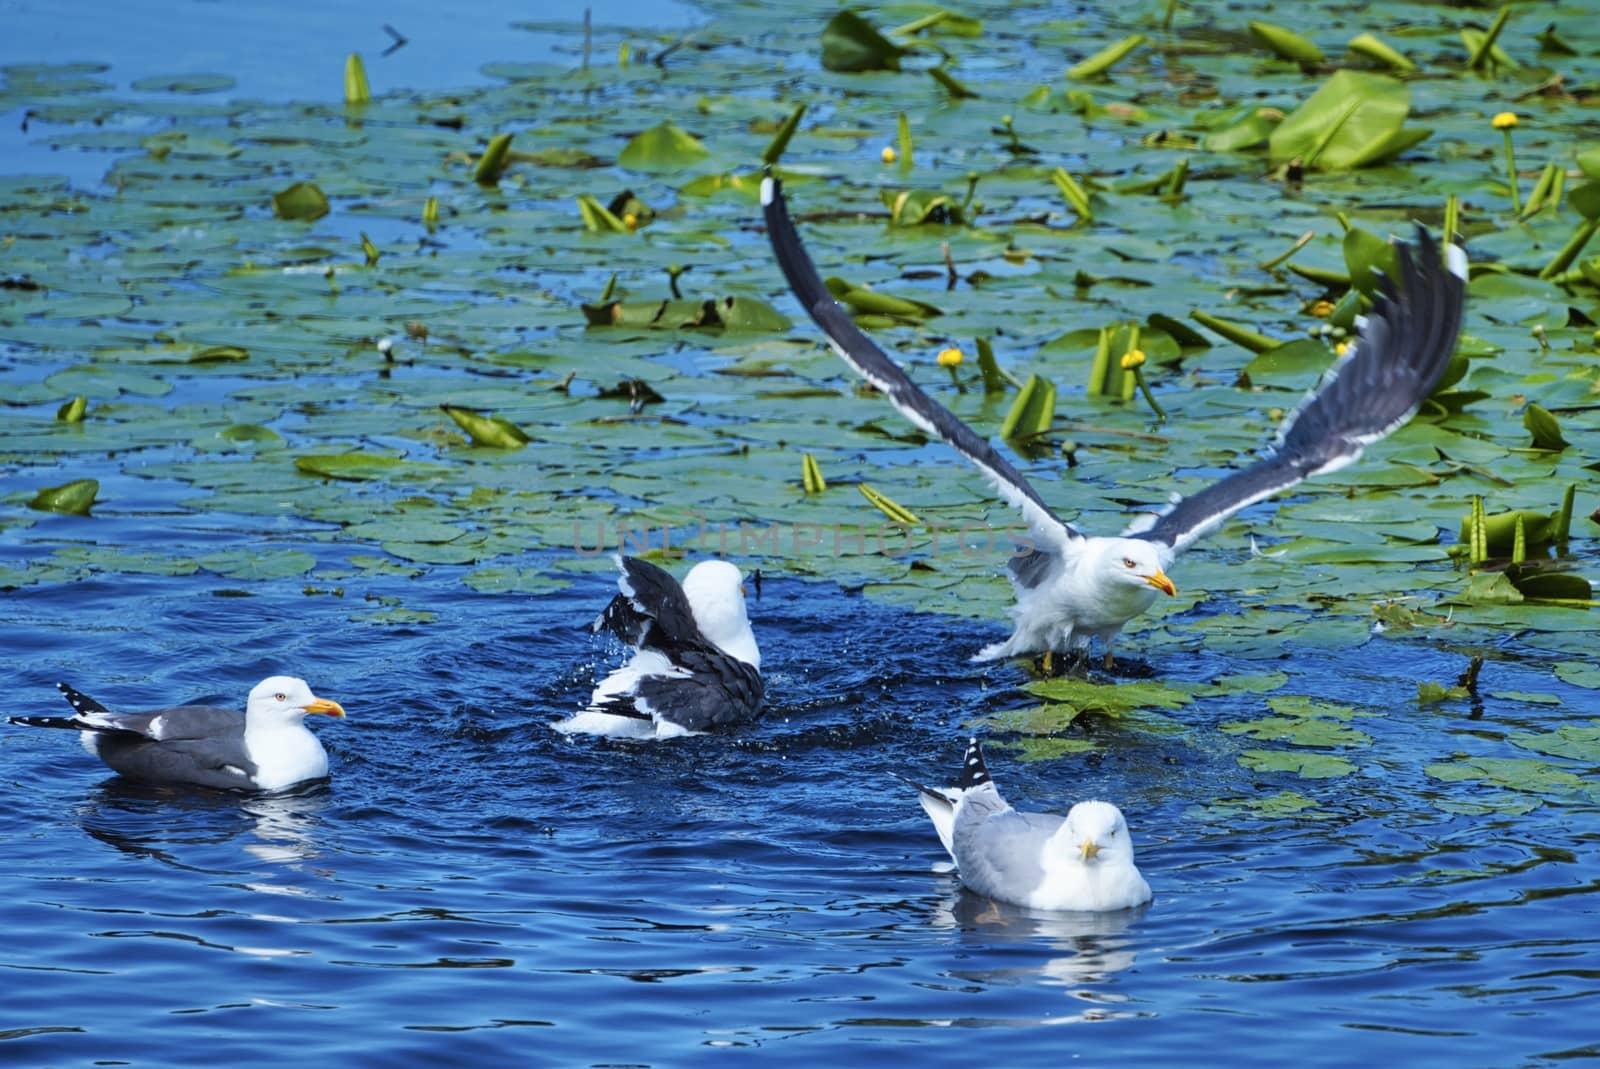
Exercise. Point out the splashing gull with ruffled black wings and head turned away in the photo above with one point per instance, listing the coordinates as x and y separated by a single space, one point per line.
695 663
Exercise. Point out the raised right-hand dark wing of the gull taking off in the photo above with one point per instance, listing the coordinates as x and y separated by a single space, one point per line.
1398 361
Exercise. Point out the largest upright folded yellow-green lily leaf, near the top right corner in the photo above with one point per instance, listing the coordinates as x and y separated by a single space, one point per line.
1353 121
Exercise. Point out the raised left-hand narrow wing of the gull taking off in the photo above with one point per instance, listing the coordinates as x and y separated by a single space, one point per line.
876 367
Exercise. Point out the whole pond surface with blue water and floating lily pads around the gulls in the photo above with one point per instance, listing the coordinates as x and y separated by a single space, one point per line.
1343 873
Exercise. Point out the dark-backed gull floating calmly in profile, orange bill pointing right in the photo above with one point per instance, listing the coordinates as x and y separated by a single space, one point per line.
265 750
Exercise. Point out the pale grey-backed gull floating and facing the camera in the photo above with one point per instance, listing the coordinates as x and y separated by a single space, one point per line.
1078 863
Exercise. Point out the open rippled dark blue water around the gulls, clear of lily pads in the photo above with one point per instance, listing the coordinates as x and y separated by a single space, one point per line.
473 889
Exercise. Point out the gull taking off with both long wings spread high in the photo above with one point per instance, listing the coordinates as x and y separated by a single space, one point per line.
1074 588
